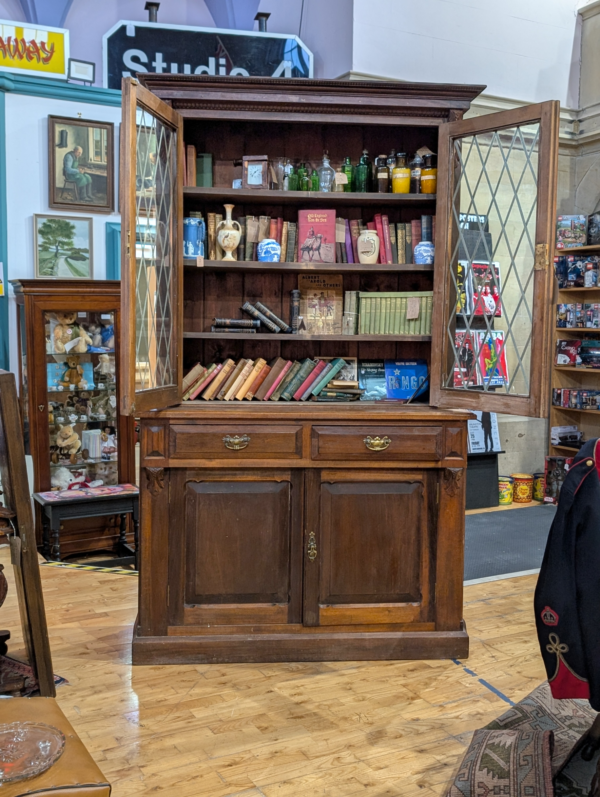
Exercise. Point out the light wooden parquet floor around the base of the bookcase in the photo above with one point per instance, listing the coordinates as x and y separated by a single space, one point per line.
381 729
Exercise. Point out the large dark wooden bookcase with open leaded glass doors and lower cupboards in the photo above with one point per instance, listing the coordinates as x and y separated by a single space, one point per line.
305 544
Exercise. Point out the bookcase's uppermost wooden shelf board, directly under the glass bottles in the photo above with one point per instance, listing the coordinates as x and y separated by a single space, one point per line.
327 199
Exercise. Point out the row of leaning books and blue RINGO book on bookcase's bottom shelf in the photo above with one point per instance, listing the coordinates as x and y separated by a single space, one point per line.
322 379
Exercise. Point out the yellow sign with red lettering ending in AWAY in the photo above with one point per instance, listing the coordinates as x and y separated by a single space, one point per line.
34 50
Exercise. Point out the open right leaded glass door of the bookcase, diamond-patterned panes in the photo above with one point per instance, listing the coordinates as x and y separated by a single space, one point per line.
495 219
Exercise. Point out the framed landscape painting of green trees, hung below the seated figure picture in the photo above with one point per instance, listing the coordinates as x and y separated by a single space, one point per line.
62 246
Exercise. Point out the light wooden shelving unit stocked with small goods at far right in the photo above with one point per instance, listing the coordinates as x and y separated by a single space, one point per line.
588 421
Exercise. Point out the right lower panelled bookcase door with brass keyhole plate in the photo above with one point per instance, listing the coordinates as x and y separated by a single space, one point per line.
366 547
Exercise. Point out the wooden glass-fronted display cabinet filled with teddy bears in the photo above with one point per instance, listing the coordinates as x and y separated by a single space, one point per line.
70 392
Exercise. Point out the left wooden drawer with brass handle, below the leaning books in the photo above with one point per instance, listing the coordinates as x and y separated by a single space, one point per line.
235 441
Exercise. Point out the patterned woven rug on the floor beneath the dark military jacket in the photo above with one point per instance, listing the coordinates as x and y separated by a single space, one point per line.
519 753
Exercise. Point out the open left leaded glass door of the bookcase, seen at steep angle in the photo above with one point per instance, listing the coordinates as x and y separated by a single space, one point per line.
152 209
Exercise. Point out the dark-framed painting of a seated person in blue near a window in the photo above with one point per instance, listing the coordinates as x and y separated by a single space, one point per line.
81 164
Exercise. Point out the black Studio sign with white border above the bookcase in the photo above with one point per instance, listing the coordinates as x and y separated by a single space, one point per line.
131 47
